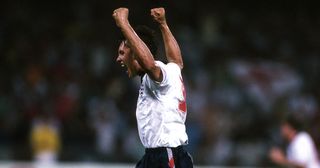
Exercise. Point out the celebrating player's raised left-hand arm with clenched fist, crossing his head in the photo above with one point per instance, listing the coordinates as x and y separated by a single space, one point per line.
141 51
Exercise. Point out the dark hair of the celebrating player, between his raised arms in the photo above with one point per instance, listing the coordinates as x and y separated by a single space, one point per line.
147 35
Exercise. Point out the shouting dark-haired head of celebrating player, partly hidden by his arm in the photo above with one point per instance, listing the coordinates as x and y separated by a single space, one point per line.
126 57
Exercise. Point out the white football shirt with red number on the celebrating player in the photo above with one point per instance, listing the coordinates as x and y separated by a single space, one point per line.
161 109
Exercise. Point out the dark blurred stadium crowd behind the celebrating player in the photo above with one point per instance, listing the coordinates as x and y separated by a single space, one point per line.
247 64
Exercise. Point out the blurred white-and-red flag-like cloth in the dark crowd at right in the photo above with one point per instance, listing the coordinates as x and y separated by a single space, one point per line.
265 82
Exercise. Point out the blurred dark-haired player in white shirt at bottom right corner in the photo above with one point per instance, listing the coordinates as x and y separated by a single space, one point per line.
301 150
